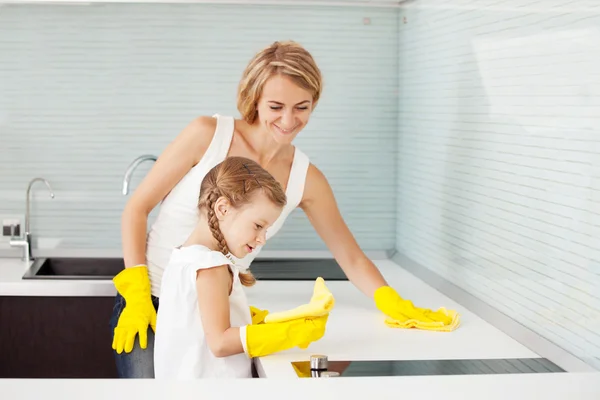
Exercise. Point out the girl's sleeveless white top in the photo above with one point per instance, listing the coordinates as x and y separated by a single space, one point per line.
180 347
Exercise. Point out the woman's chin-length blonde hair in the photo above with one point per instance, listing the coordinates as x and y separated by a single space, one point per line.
286 58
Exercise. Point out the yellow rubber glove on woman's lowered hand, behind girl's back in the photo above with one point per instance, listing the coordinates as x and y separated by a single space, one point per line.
134 285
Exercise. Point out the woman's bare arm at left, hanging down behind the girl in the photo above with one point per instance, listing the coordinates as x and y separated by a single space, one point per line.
176 160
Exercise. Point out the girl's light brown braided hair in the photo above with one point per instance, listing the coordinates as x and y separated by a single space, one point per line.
236 179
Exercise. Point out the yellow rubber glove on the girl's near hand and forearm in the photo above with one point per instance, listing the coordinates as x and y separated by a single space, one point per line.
265 339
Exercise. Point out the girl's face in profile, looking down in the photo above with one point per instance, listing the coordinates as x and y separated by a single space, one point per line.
245 228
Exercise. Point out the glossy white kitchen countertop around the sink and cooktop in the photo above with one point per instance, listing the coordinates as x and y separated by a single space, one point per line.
355 331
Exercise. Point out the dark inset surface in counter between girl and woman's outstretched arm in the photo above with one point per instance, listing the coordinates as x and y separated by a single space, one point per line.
297 269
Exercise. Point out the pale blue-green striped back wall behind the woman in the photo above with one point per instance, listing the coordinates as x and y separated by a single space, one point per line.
84 90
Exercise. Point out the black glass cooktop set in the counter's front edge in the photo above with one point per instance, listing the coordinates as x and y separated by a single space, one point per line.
433 367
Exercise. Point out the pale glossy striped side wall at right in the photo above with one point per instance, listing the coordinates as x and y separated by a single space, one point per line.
499 157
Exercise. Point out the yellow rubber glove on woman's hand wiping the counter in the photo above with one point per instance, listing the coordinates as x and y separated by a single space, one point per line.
389 302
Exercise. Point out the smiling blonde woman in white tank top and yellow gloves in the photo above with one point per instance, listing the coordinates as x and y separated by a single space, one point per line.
279 89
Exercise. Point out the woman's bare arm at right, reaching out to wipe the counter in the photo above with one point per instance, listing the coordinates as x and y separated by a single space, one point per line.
319 204
